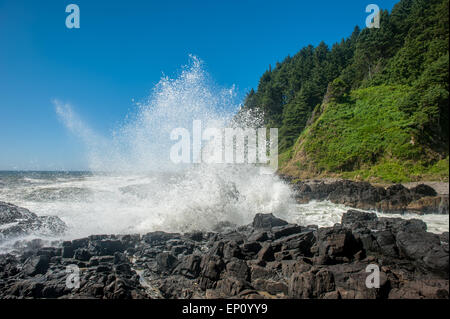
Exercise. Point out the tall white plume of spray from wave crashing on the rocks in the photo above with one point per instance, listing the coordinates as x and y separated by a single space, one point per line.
130 199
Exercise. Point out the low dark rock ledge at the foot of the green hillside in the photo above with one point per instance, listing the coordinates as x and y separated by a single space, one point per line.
421 199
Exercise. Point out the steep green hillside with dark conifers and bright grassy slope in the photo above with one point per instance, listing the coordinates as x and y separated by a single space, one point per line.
374 106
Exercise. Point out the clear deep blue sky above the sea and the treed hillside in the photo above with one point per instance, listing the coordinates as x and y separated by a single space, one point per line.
121 51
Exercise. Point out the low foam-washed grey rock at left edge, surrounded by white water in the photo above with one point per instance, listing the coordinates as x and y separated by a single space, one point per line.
17 221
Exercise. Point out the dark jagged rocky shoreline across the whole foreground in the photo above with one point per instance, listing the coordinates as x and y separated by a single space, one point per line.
266 259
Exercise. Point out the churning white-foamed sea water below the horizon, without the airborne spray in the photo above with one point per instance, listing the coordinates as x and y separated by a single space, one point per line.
175 202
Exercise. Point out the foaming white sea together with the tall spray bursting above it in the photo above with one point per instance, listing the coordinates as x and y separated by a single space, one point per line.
141 190
